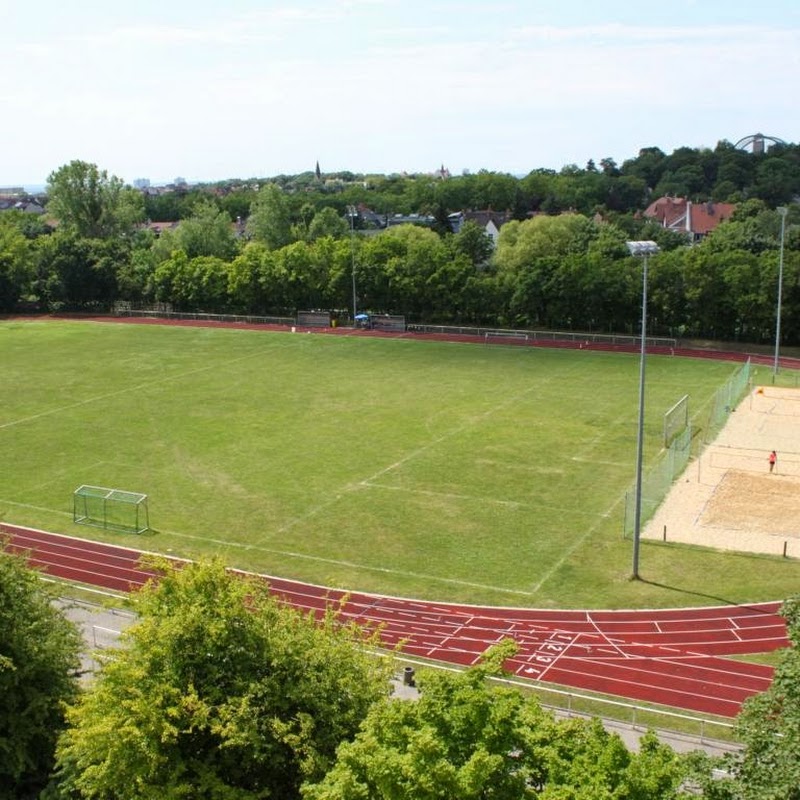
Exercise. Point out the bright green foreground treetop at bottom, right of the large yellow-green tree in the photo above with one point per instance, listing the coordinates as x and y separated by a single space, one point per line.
467 739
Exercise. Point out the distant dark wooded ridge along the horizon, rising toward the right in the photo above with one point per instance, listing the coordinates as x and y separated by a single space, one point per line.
722 174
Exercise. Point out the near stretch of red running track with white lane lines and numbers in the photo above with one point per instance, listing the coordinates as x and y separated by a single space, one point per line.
675 657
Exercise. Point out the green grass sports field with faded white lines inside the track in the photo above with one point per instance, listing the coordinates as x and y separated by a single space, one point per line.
450 471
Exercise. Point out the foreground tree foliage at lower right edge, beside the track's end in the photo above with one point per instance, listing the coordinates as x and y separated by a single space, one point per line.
769 727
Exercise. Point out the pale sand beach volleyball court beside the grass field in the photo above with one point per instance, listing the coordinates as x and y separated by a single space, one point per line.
727 498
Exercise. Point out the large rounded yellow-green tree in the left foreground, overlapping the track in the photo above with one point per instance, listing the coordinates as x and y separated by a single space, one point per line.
218 691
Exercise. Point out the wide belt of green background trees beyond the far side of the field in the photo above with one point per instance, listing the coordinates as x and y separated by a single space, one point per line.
557 270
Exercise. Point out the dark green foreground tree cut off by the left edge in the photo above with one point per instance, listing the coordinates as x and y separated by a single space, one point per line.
39 661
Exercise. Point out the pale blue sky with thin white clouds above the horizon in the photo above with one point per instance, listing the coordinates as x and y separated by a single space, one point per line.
208 90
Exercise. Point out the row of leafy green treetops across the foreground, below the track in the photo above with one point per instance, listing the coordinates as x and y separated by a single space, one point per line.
220 691
